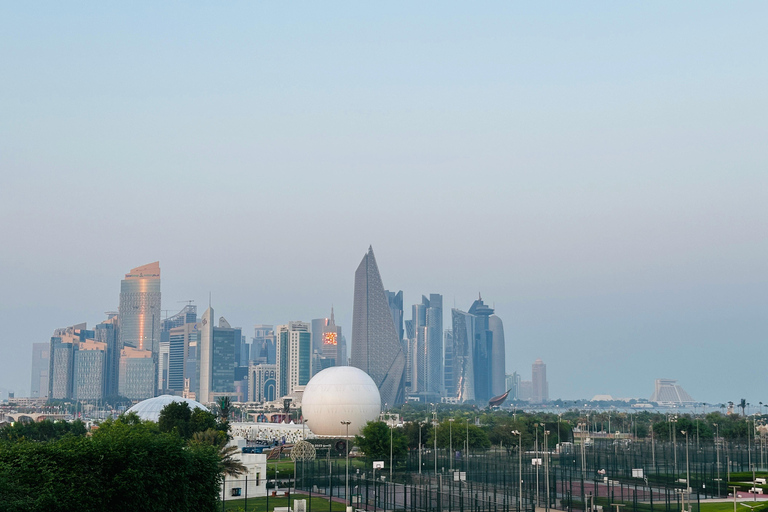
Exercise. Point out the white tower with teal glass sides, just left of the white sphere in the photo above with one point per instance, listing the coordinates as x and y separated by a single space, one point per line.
294 356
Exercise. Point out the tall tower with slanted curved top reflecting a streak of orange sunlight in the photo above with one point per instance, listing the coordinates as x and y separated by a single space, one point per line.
139 320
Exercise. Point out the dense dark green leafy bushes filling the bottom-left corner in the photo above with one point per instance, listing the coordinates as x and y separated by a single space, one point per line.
124 466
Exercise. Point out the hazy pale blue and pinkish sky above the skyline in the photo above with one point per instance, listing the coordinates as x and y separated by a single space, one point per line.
596 170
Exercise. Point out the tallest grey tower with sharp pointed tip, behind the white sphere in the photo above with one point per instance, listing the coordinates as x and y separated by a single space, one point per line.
376 348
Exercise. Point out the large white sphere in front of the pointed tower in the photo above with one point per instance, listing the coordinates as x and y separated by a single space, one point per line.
340 393
